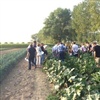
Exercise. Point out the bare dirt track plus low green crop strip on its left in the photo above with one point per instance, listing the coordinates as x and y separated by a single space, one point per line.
17 82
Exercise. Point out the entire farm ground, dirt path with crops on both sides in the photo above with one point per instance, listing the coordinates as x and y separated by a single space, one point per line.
73 79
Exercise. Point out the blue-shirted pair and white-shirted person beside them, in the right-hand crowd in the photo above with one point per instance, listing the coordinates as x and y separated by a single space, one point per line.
59 50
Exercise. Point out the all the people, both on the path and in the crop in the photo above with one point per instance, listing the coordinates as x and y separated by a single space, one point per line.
36 52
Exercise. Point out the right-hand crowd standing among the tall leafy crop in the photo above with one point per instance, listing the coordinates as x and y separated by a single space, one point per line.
59 50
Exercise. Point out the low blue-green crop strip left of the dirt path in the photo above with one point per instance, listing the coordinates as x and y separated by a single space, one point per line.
8 58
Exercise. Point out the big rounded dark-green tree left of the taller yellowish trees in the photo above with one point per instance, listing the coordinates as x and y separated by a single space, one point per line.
57 24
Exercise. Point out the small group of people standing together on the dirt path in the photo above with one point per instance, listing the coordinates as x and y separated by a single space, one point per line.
36 53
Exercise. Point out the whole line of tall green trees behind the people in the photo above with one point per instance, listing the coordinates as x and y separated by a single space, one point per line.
82 24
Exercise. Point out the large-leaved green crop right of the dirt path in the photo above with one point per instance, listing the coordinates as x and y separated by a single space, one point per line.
75 78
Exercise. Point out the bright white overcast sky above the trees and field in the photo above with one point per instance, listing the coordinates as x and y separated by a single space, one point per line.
19 19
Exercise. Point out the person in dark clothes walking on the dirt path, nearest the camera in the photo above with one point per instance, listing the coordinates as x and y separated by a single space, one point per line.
31 54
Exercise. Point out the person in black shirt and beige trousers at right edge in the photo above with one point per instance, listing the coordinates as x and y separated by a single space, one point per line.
96 53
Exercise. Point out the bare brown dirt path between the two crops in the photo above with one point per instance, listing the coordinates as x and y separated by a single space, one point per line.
24 84
